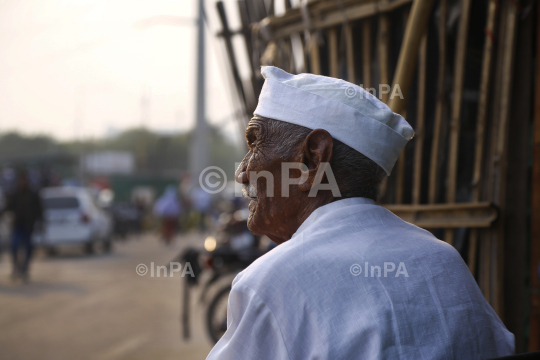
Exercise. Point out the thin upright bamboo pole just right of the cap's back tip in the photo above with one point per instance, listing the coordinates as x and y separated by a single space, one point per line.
419 131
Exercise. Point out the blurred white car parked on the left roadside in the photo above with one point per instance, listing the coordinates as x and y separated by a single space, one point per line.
71 218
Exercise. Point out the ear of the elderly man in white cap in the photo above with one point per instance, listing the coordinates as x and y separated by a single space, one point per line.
316 149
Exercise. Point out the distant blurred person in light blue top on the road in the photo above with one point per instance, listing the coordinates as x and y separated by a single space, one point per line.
168 208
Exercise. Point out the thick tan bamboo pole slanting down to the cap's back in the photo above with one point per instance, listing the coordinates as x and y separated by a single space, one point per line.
416 27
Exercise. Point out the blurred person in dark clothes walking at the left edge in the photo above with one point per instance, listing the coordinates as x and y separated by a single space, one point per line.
25 205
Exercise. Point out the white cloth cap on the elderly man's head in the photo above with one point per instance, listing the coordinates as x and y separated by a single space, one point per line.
349 113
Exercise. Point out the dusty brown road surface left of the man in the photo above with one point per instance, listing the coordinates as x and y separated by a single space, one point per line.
97 307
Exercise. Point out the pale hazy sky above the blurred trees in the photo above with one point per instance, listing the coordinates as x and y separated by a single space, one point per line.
78 69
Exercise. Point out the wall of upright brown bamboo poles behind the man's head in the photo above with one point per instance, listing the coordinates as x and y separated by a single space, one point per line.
487 165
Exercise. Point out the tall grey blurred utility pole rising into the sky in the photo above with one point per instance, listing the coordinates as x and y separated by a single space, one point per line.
199 152
